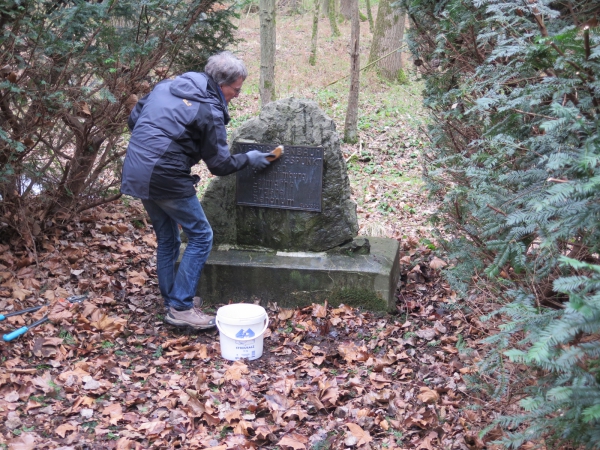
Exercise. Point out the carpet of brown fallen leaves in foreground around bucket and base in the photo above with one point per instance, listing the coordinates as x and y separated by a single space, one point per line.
108 373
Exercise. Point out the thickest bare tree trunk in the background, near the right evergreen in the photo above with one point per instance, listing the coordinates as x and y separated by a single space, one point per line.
388 35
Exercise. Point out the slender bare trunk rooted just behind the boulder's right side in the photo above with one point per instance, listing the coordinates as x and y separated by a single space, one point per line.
351 123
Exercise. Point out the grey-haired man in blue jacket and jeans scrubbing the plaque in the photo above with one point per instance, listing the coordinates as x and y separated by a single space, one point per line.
179 123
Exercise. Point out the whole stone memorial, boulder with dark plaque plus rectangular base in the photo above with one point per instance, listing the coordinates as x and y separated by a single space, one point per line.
288 234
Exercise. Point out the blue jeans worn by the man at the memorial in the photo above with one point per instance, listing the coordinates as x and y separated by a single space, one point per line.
179 288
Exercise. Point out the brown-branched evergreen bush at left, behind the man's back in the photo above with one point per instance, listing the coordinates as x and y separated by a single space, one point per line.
70 73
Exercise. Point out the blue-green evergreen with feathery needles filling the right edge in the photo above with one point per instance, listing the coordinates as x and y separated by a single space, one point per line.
513 91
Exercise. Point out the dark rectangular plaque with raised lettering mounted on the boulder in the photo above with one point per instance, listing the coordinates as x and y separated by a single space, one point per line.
294 181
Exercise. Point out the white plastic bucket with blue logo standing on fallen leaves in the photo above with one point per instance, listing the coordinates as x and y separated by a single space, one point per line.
241 328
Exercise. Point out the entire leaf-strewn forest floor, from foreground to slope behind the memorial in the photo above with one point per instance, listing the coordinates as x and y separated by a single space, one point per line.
110 374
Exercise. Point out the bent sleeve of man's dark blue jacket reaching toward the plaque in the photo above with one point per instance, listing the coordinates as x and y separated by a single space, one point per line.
214 148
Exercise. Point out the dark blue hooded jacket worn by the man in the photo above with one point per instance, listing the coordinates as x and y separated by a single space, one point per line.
175 126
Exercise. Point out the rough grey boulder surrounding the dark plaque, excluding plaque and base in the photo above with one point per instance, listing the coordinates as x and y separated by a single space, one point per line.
289 122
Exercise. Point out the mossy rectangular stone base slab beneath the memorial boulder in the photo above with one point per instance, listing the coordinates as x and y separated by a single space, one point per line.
301 278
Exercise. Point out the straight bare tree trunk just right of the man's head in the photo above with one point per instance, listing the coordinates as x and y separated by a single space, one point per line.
267 51
